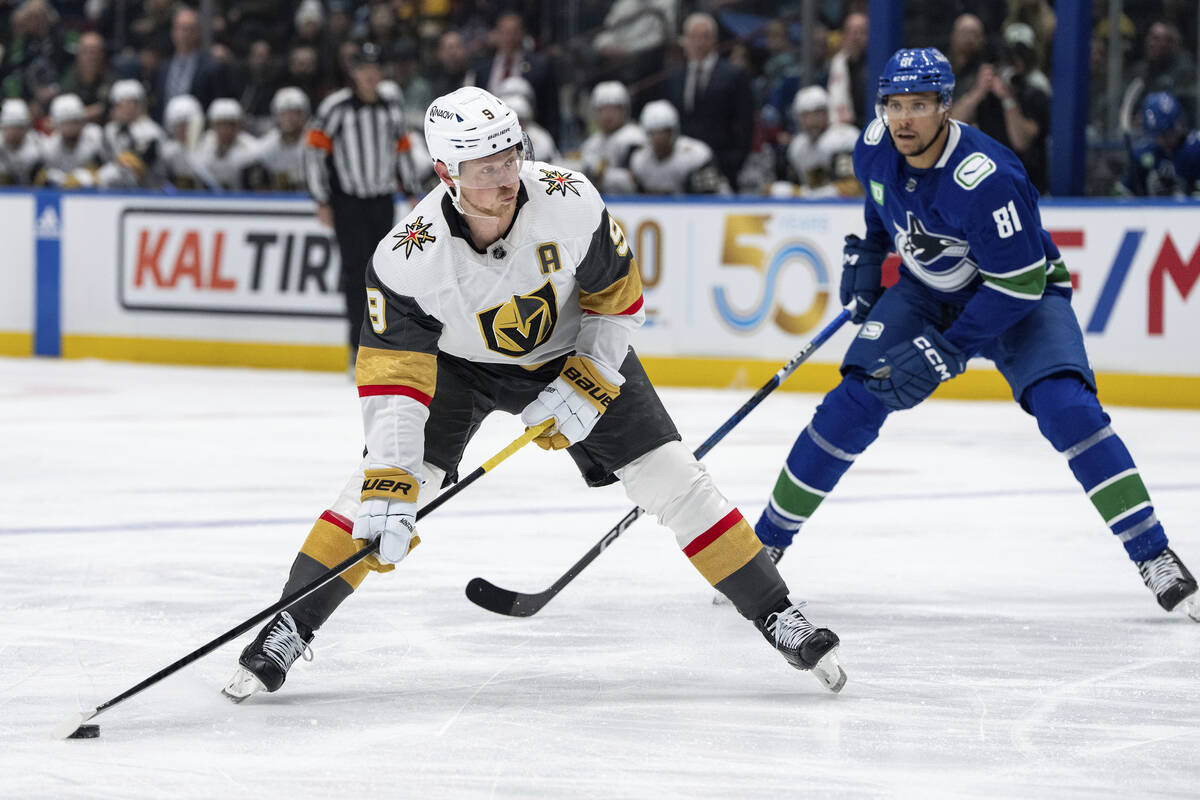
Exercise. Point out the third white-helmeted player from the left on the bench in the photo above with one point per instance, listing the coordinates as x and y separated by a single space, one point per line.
134 143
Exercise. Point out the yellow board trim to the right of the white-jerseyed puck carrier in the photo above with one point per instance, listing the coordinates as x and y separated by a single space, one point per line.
1117 388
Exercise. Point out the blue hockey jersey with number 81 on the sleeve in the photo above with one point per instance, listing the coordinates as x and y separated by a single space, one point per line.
968 228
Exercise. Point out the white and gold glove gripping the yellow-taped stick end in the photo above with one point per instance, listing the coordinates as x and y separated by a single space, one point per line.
575 401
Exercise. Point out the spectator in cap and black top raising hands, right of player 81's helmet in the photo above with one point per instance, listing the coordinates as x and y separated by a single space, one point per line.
1012 104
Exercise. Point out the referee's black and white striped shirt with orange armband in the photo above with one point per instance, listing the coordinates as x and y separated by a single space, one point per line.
356 148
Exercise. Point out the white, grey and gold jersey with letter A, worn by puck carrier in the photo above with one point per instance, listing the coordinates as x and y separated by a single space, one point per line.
562 279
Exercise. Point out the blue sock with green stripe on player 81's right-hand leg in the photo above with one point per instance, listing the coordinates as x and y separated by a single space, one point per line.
1070 416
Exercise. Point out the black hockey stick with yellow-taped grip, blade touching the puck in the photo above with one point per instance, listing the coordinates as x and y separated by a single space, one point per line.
71 727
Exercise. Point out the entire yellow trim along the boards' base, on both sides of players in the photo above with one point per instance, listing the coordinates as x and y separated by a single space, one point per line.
1117 388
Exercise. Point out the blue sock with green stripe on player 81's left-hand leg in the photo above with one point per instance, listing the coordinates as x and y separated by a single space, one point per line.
845 424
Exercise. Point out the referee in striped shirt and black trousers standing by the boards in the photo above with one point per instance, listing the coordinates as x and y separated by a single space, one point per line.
357 151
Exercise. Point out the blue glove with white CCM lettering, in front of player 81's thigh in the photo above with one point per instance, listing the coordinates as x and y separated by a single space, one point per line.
911 371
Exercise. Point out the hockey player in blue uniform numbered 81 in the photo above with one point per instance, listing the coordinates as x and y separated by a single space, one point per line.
980 278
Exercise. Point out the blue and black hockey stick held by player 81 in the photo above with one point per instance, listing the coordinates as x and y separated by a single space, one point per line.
517 604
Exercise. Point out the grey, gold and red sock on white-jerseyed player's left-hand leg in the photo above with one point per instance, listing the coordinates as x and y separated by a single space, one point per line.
328 544
